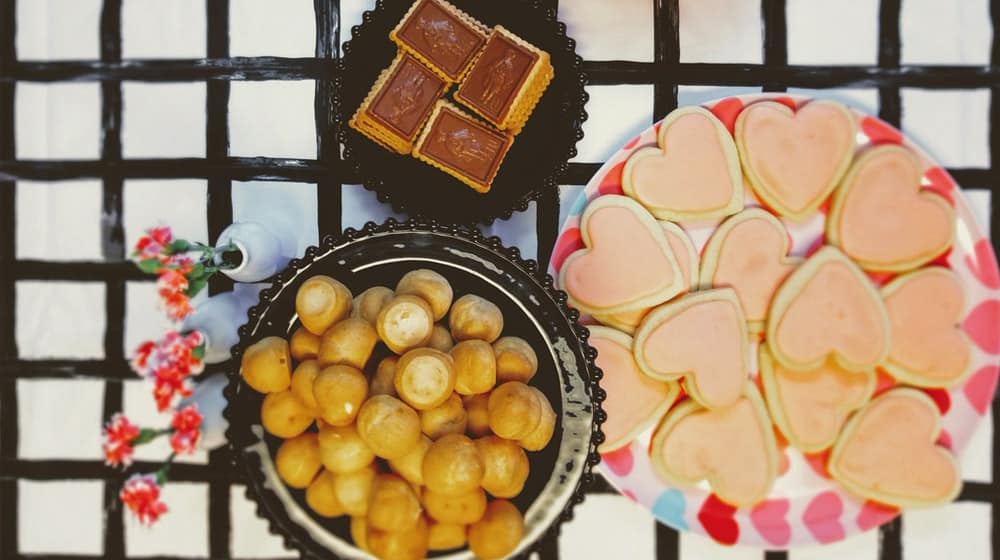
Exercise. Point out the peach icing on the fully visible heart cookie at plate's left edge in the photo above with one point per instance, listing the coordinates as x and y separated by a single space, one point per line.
624 263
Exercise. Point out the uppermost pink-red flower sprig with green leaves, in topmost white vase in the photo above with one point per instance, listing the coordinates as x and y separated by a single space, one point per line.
184 267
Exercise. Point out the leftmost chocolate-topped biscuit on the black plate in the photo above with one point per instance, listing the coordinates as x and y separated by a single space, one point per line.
399 103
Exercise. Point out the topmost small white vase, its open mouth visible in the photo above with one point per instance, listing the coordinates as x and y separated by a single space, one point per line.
261 248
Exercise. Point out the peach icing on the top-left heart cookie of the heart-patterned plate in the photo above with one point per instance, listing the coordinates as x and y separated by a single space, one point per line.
693 172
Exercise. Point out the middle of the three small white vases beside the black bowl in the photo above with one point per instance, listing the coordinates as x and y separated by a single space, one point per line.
219 317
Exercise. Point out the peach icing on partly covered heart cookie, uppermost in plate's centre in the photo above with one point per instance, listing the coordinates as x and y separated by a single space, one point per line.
752 260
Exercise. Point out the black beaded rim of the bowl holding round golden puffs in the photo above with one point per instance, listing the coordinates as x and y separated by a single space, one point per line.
256 484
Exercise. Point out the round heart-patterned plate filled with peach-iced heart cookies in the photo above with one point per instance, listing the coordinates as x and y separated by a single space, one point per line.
796 315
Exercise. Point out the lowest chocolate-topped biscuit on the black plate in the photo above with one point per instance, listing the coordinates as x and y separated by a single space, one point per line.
462 146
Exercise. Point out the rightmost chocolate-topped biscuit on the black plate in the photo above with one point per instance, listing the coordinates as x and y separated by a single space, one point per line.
506 80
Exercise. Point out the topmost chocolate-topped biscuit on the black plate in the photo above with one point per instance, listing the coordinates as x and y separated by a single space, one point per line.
442 36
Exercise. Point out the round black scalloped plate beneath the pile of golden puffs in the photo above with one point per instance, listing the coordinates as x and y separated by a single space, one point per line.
533 310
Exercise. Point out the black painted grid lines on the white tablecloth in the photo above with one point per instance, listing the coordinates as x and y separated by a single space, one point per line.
665 73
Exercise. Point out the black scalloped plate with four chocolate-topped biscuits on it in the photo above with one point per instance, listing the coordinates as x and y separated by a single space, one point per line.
463 111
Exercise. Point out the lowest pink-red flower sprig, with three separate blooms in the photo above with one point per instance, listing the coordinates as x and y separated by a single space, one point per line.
141 492
